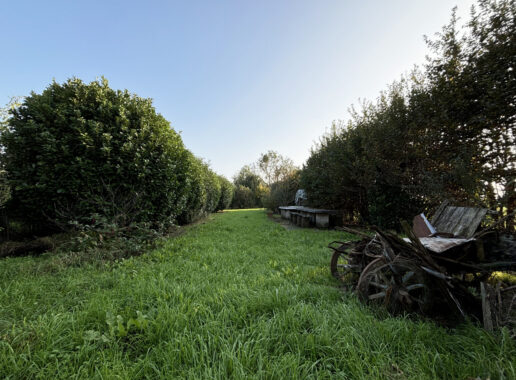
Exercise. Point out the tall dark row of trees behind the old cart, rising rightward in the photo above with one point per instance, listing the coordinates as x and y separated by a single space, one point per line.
445 131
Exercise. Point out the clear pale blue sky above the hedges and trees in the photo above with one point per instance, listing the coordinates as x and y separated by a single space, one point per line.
236 78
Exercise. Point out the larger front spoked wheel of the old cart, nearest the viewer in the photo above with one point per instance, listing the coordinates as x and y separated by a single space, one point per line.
400 286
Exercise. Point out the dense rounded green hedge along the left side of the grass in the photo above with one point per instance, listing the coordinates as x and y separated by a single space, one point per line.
78 153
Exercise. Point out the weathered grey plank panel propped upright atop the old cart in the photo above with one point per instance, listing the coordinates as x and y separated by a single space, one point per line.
459 221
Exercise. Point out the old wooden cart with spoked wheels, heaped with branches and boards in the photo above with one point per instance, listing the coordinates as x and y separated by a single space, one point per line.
443 273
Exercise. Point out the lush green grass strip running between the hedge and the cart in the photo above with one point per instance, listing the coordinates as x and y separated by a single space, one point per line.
235 297
